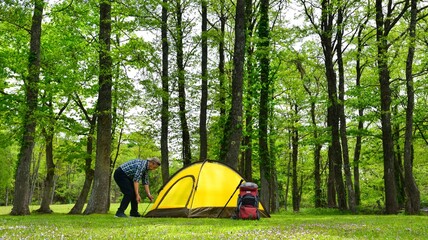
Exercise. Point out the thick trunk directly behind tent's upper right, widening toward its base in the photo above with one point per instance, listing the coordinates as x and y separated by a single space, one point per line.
233 128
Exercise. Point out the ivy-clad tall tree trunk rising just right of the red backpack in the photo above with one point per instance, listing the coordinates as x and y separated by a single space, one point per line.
263 50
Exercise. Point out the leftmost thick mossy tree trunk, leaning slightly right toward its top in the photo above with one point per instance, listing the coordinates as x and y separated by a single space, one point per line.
22 180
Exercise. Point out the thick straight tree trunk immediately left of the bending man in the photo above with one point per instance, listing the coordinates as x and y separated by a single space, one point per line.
99 201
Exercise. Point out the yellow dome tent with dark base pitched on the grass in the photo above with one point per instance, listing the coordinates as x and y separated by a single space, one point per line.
202 189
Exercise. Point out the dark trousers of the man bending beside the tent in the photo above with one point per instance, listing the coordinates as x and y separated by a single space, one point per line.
126 185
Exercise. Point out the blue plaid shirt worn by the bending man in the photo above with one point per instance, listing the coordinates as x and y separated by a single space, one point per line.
137 169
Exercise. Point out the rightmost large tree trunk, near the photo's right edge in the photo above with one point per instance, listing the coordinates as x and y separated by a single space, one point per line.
413 200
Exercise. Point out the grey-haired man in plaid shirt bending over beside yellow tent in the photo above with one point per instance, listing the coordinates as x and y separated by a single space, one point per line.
127 177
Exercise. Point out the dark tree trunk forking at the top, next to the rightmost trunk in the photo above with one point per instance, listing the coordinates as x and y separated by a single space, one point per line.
384 26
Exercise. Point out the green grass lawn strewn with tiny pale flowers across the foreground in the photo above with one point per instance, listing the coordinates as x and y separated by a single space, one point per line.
309 224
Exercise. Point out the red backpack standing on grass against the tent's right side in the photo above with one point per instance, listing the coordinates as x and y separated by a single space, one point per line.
248 202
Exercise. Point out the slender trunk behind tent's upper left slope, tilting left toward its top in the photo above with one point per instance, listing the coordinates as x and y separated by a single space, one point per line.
185 135
